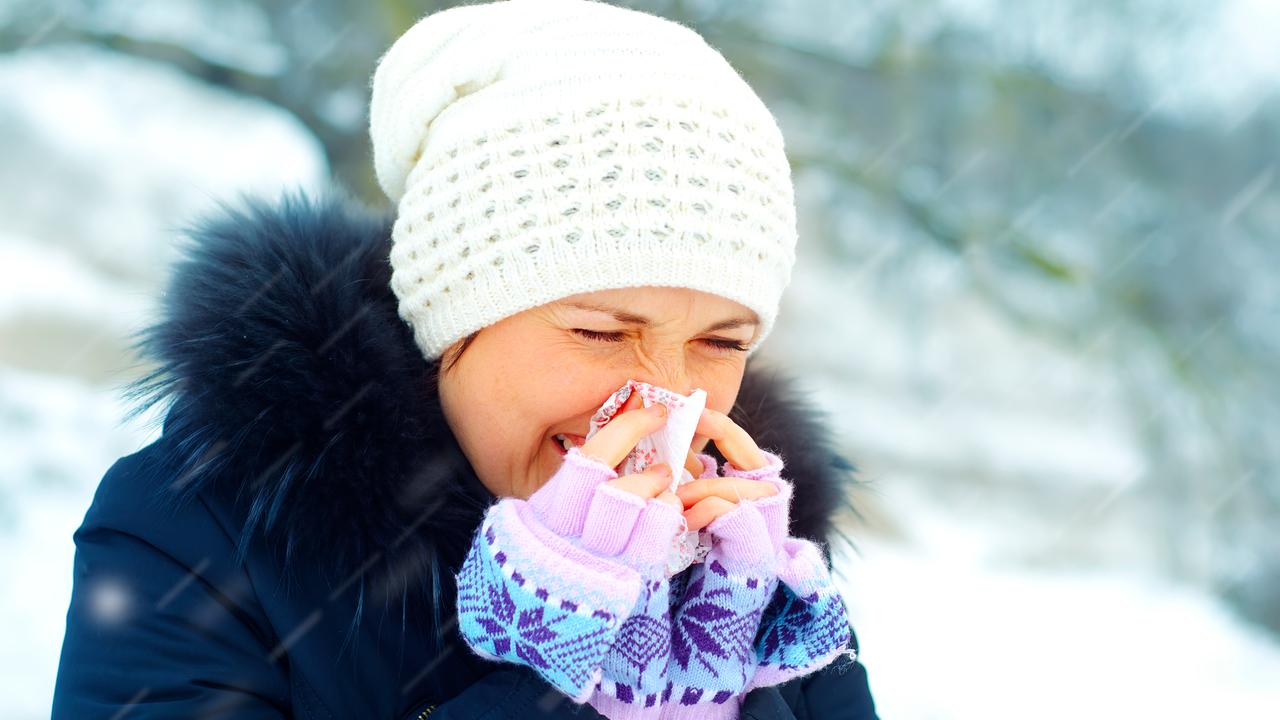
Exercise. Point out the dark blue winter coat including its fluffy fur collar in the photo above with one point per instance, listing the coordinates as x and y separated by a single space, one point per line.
287 546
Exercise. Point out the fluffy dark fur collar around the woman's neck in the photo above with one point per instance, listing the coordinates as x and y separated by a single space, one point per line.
299 397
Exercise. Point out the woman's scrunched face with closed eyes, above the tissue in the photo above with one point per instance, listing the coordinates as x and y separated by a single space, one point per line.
547 371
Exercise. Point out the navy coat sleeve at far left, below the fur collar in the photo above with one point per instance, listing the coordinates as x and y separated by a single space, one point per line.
150 577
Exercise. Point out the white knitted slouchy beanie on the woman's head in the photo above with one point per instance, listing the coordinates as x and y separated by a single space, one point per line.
538 149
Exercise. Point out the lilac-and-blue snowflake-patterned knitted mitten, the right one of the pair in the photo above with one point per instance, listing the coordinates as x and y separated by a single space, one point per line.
761 610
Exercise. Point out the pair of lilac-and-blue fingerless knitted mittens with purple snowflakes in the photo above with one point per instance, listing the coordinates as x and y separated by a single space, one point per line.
572 584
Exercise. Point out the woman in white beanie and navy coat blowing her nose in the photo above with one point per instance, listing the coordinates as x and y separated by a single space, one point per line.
356 398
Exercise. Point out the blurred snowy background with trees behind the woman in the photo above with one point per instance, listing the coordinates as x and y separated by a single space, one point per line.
1039 294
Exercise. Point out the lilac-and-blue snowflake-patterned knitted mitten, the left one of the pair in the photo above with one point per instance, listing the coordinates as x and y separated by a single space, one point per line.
554 582
